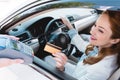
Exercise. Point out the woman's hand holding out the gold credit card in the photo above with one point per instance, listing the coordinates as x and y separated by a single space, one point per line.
61 60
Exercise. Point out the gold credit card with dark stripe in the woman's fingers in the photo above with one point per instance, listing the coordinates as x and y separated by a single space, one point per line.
51 48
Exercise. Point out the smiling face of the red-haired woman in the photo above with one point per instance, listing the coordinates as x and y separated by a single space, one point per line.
101 32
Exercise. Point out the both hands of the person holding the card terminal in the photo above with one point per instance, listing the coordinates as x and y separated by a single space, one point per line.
6 61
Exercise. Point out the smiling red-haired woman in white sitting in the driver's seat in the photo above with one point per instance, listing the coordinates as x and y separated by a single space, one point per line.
101 57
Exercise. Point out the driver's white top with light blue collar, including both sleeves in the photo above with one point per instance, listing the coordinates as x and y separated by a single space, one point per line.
99 71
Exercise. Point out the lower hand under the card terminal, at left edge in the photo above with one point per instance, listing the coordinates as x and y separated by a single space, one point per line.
4 62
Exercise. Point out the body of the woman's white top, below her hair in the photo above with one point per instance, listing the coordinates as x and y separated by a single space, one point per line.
99 71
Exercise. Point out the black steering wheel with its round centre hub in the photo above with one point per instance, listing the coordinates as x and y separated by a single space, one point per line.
59 39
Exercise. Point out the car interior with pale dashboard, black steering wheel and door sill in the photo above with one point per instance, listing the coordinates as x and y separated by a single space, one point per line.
45 28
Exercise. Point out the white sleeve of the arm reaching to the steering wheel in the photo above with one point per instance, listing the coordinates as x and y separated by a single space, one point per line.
79 42
